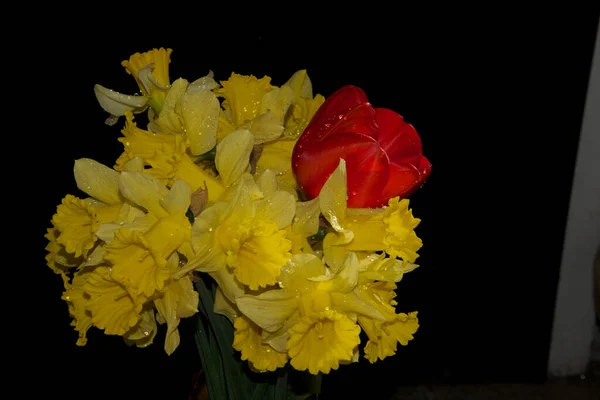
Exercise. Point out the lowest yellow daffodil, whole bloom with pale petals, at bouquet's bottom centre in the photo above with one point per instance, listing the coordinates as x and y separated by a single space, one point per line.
313 314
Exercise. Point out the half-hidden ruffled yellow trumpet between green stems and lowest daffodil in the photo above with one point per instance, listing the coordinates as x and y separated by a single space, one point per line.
248 341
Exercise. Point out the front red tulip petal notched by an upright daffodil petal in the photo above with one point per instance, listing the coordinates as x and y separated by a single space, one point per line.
367 167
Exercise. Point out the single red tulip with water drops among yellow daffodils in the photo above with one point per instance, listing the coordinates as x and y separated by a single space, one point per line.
383 153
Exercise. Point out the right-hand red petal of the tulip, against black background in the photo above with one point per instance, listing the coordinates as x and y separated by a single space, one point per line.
400 140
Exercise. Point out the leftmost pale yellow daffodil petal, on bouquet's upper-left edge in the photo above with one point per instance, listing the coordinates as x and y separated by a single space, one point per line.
97 180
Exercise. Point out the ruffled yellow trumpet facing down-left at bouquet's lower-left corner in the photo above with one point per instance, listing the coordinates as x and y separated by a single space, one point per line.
111 307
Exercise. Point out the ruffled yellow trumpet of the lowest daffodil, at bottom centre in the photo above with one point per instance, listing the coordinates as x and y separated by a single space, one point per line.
319 342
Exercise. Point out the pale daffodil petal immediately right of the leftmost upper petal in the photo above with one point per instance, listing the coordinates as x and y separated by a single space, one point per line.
144 190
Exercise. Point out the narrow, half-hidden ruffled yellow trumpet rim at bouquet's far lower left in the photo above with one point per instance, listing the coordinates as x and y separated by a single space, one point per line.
77 299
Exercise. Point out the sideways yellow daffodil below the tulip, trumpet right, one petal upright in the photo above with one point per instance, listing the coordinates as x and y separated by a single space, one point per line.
389 229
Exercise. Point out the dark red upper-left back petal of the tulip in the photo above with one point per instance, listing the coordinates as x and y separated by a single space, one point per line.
348 105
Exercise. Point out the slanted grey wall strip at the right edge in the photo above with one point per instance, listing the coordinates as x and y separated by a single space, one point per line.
574 320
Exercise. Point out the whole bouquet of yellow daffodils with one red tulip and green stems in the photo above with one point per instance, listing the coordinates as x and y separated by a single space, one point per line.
275 217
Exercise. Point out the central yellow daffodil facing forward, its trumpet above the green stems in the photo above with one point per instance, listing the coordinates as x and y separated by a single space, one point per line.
246 236
